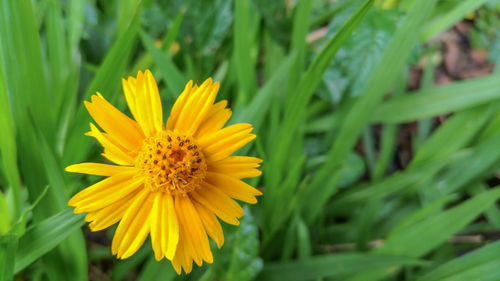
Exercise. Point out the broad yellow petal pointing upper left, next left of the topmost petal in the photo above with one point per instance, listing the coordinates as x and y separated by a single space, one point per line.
121 128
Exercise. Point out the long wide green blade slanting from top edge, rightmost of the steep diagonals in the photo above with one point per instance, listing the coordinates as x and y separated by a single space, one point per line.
380 81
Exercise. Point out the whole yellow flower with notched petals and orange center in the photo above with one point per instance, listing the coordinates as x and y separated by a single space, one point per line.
171 181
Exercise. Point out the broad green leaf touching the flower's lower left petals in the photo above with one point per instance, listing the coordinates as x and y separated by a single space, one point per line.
41 237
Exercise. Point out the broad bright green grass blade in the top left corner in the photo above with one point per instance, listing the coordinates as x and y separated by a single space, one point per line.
23 64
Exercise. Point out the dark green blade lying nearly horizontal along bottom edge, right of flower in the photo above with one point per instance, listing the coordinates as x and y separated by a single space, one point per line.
333 265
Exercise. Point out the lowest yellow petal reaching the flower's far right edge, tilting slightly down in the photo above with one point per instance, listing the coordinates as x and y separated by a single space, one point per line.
233 187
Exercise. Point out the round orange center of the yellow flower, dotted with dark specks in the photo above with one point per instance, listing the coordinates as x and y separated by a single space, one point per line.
171 163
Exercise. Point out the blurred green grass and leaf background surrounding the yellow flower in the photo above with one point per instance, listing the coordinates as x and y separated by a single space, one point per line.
378 122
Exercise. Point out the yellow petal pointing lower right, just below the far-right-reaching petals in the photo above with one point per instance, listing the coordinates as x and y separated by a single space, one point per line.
219 203
